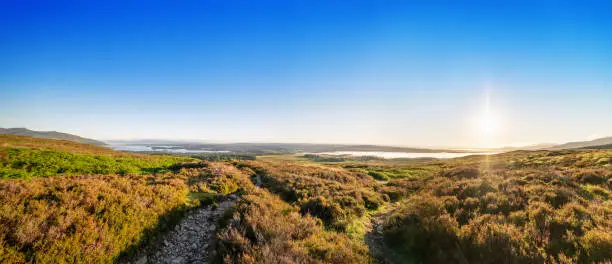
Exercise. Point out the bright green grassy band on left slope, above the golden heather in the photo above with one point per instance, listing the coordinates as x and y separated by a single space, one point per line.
23 157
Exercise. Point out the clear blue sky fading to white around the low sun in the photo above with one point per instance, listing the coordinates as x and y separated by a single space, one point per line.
414 73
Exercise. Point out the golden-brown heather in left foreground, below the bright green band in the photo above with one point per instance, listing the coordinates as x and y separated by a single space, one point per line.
87 219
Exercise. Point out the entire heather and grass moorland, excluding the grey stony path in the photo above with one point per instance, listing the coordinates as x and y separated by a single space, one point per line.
66 202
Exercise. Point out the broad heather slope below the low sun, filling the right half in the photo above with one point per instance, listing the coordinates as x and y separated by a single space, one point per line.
541 206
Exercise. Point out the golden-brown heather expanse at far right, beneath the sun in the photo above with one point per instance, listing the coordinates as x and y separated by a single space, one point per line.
533 207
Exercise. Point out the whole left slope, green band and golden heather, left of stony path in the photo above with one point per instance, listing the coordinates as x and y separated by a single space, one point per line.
80 218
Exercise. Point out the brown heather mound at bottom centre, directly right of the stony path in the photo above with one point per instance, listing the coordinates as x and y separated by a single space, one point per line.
265 229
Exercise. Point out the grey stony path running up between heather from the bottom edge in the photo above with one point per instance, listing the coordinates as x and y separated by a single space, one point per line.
190 241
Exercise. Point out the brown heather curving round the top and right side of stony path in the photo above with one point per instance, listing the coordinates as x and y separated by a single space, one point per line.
262 228
